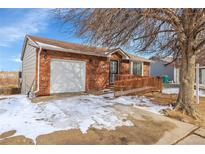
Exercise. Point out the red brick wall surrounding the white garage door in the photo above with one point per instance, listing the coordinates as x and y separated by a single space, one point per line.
97 70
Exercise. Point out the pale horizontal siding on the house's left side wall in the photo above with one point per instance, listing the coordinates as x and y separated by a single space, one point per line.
28 68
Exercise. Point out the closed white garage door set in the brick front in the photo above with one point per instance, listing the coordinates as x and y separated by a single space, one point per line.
67 76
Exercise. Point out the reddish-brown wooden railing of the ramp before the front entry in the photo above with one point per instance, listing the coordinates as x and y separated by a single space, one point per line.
136 84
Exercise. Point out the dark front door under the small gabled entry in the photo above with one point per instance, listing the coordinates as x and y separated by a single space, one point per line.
113 71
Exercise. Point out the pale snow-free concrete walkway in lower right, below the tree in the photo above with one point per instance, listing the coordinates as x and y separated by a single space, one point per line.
182 133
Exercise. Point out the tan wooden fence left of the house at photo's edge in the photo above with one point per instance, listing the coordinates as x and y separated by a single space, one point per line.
9 79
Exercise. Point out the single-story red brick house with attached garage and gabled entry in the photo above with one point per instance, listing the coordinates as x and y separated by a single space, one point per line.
51 66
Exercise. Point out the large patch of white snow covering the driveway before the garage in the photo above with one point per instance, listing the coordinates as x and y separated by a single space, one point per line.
31 120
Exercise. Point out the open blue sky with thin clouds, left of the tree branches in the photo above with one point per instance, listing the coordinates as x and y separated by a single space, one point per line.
16 23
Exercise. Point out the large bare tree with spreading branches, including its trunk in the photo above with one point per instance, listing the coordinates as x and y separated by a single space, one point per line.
179 33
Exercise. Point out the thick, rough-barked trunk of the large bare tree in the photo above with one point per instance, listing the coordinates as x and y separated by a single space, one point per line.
185 101
